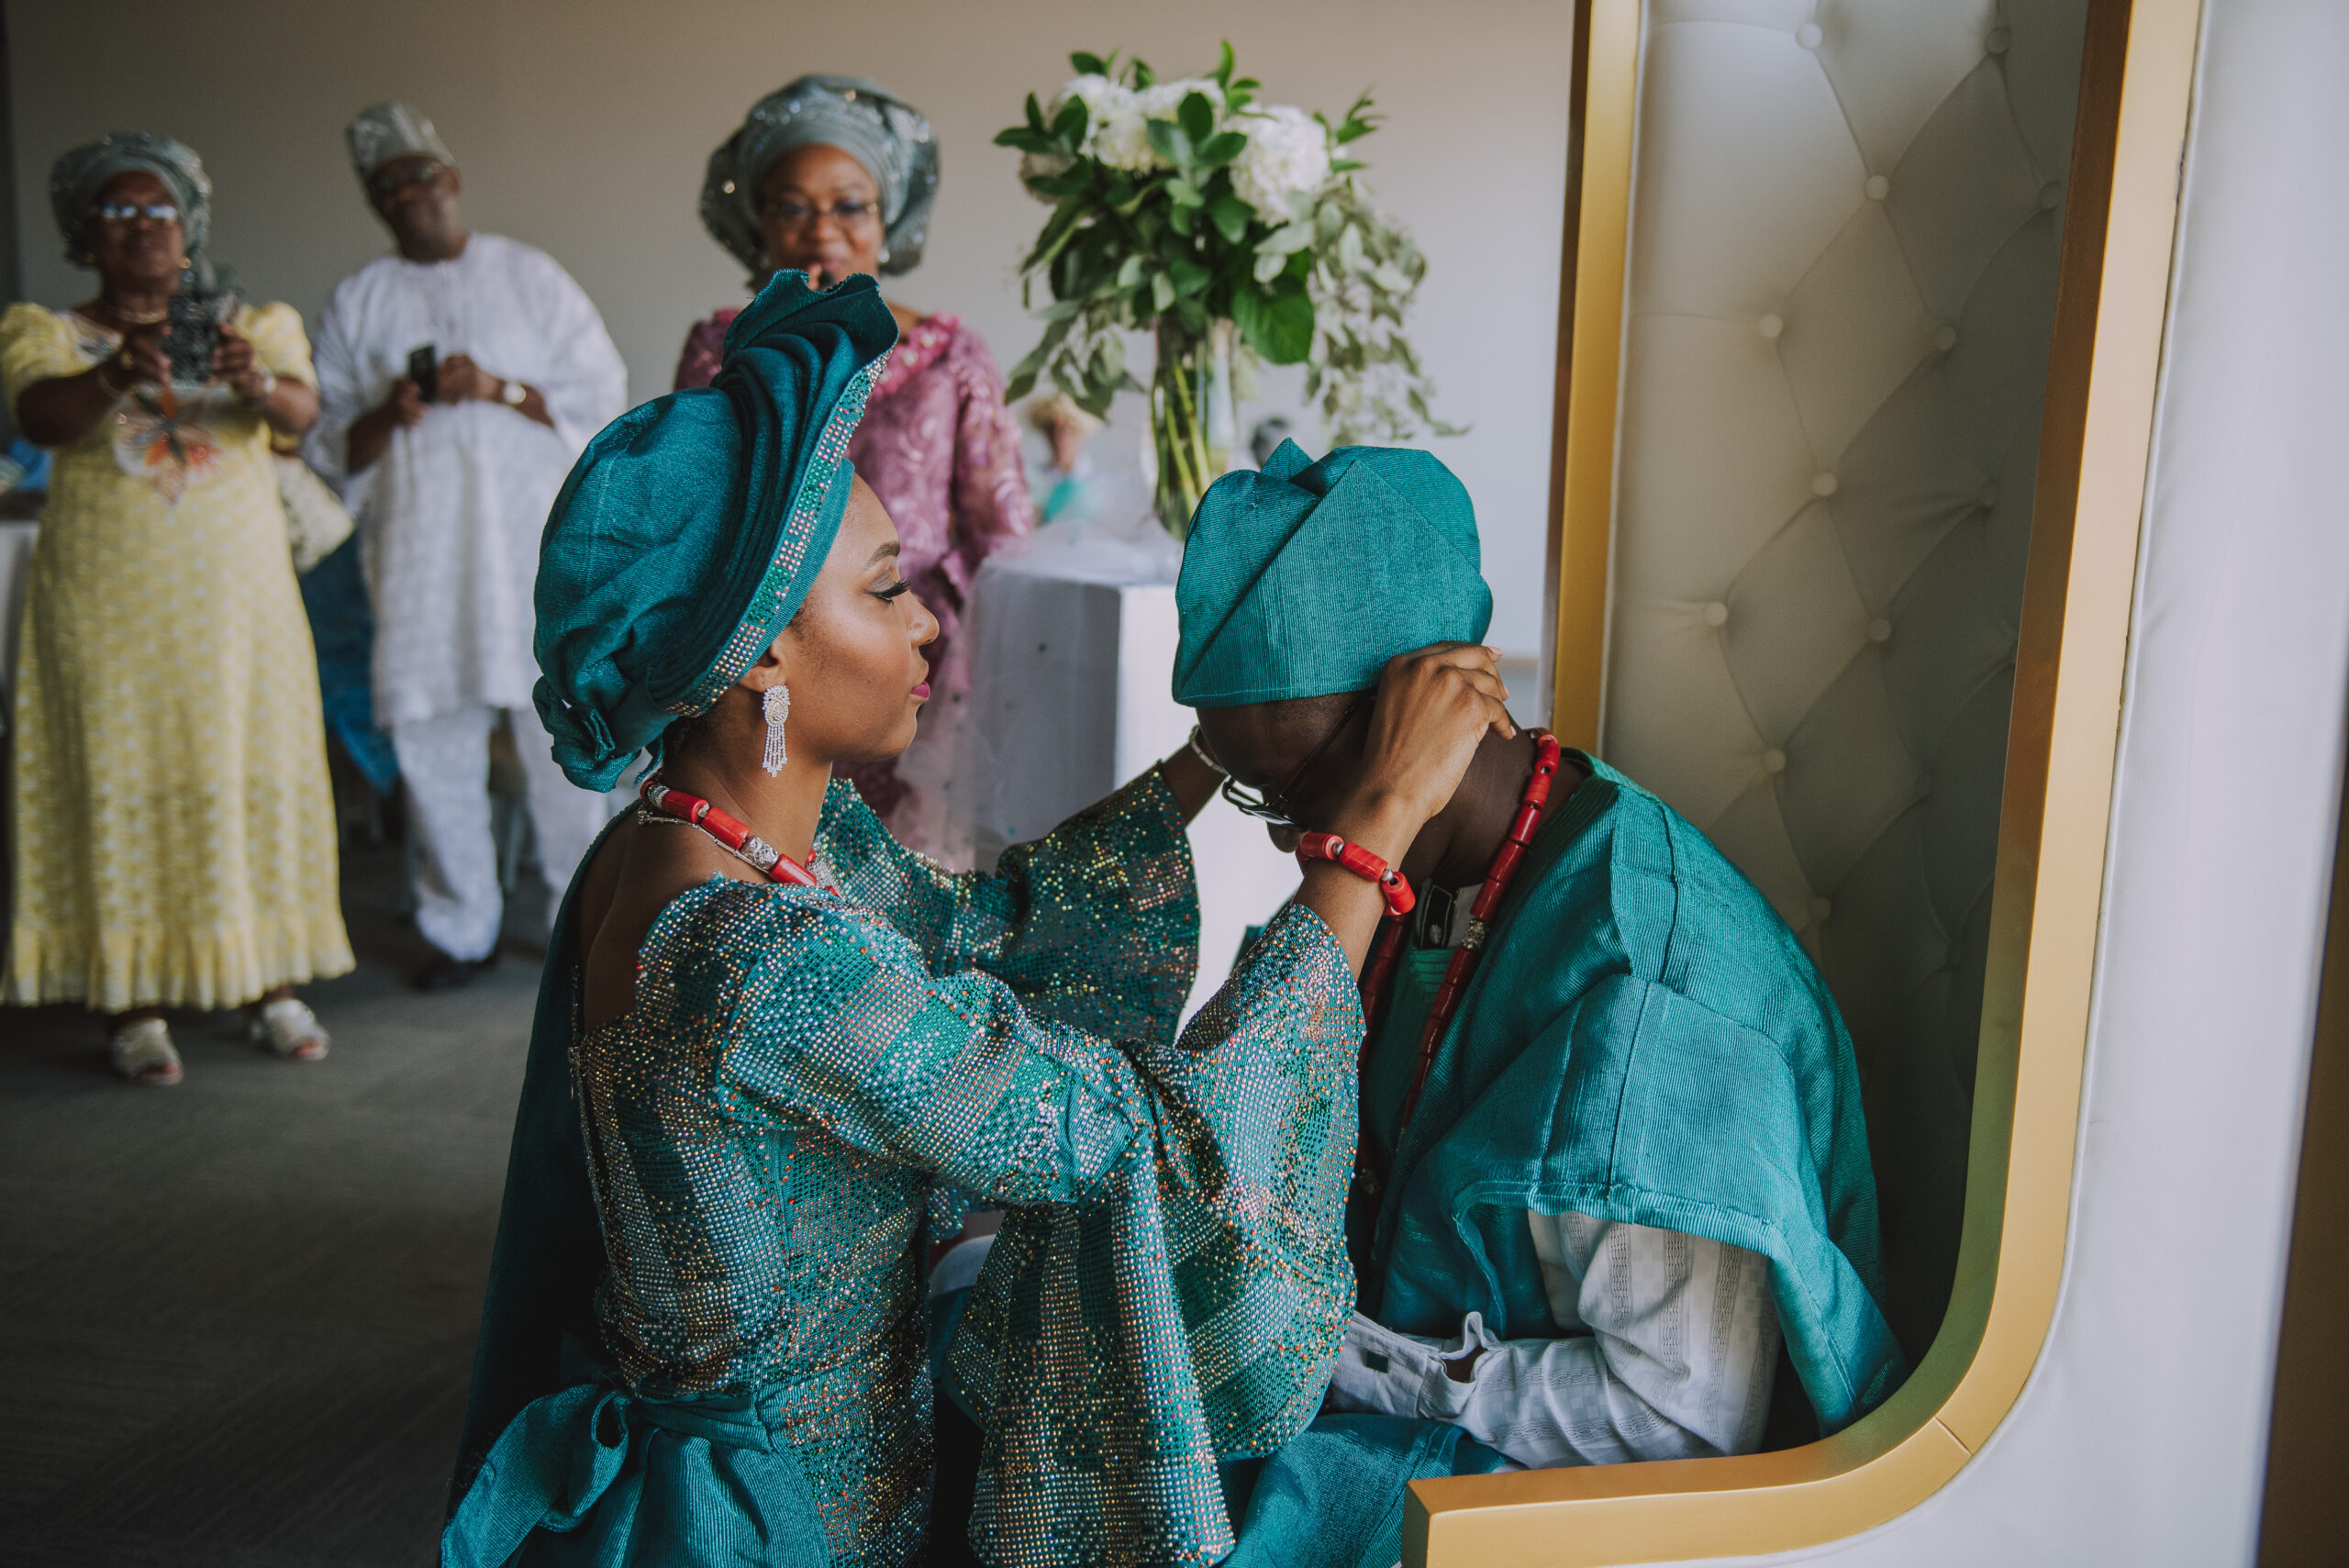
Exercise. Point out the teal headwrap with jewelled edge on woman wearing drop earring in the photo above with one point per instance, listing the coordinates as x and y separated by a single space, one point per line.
692 527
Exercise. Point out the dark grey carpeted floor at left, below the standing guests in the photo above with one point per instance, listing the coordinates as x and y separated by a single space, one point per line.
236 1318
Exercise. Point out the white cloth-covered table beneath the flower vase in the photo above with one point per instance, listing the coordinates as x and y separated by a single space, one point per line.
1072 696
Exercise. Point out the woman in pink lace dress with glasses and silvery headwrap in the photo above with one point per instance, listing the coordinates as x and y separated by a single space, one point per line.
835 177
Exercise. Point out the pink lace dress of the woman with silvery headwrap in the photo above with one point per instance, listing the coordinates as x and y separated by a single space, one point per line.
943 454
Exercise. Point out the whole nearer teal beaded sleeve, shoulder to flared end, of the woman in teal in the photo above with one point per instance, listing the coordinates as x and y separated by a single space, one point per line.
1171 1287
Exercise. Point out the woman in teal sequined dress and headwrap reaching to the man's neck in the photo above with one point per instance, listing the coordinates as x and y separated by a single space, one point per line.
769 1036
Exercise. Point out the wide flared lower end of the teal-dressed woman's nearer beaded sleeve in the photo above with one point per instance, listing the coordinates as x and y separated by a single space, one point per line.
1119 1349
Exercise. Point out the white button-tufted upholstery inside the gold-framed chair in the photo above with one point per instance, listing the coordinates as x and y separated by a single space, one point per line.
1843 276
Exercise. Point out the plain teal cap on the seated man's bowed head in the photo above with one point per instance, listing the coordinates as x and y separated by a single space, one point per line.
1307 579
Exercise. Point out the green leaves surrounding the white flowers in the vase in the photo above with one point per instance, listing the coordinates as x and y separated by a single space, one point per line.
1176 248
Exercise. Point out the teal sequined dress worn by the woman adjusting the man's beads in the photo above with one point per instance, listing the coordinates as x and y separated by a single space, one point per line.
767 1128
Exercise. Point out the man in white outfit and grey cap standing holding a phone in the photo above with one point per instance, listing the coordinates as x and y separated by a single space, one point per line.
452 487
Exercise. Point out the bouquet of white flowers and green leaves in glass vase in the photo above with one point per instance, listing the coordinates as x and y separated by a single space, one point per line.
1225 227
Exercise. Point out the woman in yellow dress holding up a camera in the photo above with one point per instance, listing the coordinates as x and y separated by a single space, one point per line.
170 813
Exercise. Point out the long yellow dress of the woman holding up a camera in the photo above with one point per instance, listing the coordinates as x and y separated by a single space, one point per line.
170 818
